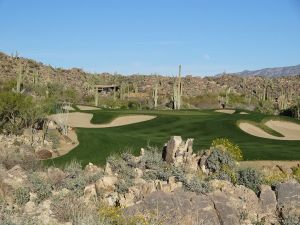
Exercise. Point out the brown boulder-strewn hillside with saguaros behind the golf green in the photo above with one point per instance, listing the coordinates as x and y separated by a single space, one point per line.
35 73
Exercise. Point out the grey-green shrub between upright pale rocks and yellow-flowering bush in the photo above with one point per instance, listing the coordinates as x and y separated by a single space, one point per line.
219 158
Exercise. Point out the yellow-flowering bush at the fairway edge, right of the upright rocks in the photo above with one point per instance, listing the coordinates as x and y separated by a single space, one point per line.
233 149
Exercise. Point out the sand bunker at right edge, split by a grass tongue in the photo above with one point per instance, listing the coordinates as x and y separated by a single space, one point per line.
290 131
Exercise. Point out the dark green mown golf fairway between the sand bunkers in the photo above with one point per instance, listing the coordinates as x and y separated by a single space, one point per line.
96 144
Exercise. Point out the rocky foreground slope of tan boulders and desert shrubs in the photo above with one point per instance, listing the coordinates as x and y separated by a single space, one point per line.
176 187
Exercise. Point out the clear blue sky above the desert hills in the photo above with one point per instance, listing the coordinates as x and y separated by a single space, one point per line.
153 36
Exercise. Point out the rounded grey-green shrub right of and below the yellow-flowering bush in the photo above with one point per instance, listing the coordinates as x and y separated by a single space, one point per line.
250 178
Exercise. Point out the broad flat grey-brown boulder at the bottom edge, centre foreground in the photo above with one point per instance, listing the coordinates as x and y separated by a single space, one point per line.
177 208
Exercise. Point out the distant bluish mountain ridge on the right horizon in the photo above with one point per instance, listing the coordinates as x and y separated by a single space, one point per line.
272 72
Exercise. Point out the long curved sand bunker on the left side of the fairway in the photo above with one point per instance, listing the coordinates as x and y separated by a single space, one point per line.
83 120
